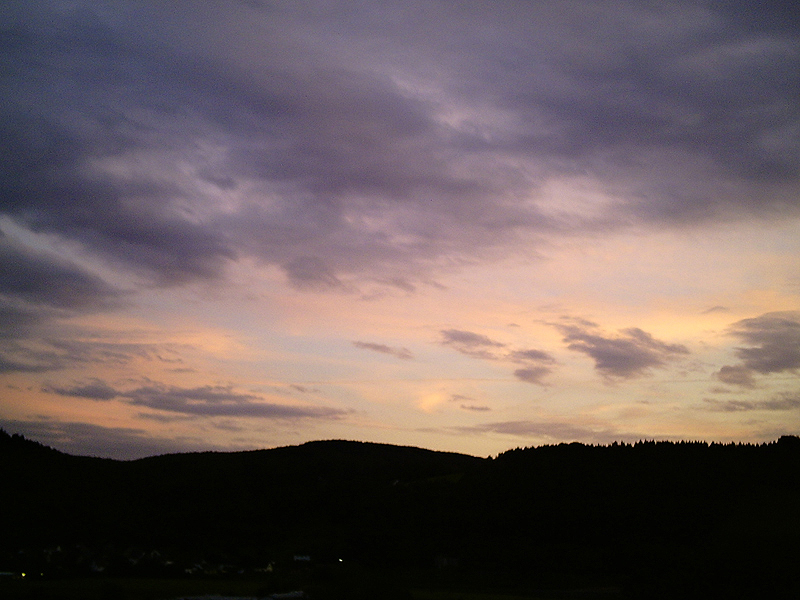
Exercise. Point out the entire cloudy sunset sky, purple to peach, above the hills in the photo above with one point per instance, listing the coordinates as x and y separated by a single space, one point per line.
461 225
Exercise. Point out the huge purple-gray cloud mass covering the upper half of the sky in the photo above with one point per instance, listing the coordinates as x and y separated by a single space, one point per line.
381 139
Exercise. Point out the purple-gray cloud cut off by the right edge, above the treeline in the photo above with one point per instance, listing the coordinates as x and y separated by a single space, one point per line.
773 341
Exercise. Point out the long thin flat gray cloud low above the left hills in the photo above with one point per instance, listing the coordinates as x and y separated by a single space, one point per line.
206 401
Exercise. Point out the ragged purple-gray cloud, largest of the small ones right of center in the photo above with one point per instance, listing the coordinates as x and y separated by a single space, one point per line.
624 356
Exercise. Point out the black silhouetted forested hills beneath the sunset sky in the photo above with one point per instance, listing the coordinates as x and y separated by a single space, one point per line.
644 519
